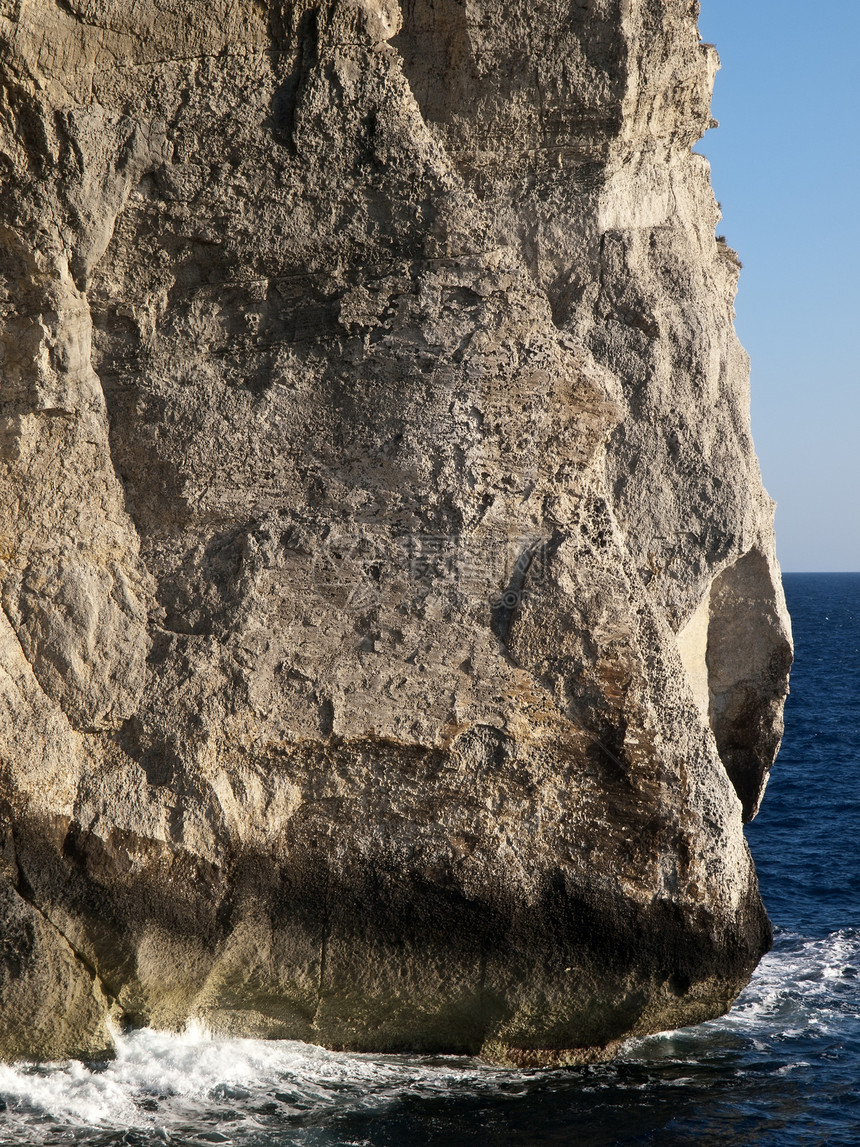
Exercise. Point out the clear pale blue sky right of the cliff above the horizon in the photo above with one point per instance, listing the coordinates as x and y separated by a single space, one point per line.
786 167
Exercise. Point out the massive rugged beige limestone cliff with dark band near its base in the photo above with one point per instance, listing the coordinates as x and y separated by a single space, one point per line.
393 641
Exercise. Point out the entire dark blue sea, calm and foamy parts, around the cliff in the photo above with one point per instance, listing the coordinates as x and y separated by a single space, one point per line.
784 1068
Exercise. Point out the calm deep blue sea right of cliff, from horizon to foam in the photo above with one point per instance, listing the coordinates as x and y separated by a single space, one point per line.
807 839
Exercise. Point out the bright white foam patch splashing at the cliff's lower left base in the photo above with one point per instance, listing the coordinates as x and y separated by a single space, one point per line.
158 1076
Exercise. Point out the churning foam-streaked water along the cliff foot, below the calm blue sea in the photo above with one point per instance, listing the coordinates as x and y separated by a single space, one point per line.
799 1018
